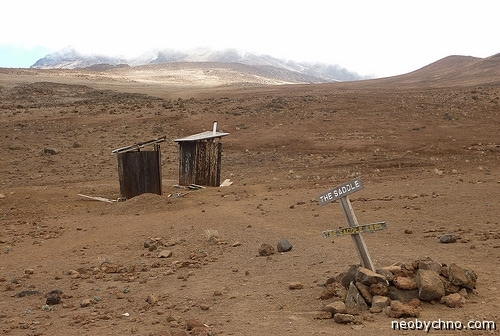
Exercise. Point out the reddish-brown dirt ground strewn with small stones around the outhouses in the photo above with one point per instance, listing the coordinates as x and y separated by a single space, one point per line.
429 159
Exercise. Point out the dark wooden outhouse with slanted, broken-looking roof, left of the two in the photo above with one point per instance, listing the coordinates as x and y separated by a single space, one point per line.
139 171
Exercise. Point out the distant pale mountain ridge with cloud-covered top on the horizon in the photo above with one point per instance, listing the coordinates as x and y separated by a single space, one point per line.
69 58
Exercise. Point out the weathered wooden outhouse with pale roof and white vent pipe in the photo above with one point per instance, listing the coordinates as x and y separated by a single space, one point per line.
200 158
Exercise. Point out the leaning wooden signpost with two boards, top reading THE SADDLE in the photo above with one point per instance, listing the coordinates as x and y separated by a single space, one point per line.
341 193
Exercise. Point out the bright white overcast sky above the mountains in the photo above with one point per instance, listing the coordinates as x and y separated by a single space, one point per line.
370 37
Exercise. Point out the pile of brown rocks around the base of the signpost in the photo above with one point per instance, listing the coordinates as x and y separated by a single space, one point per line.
397 290
